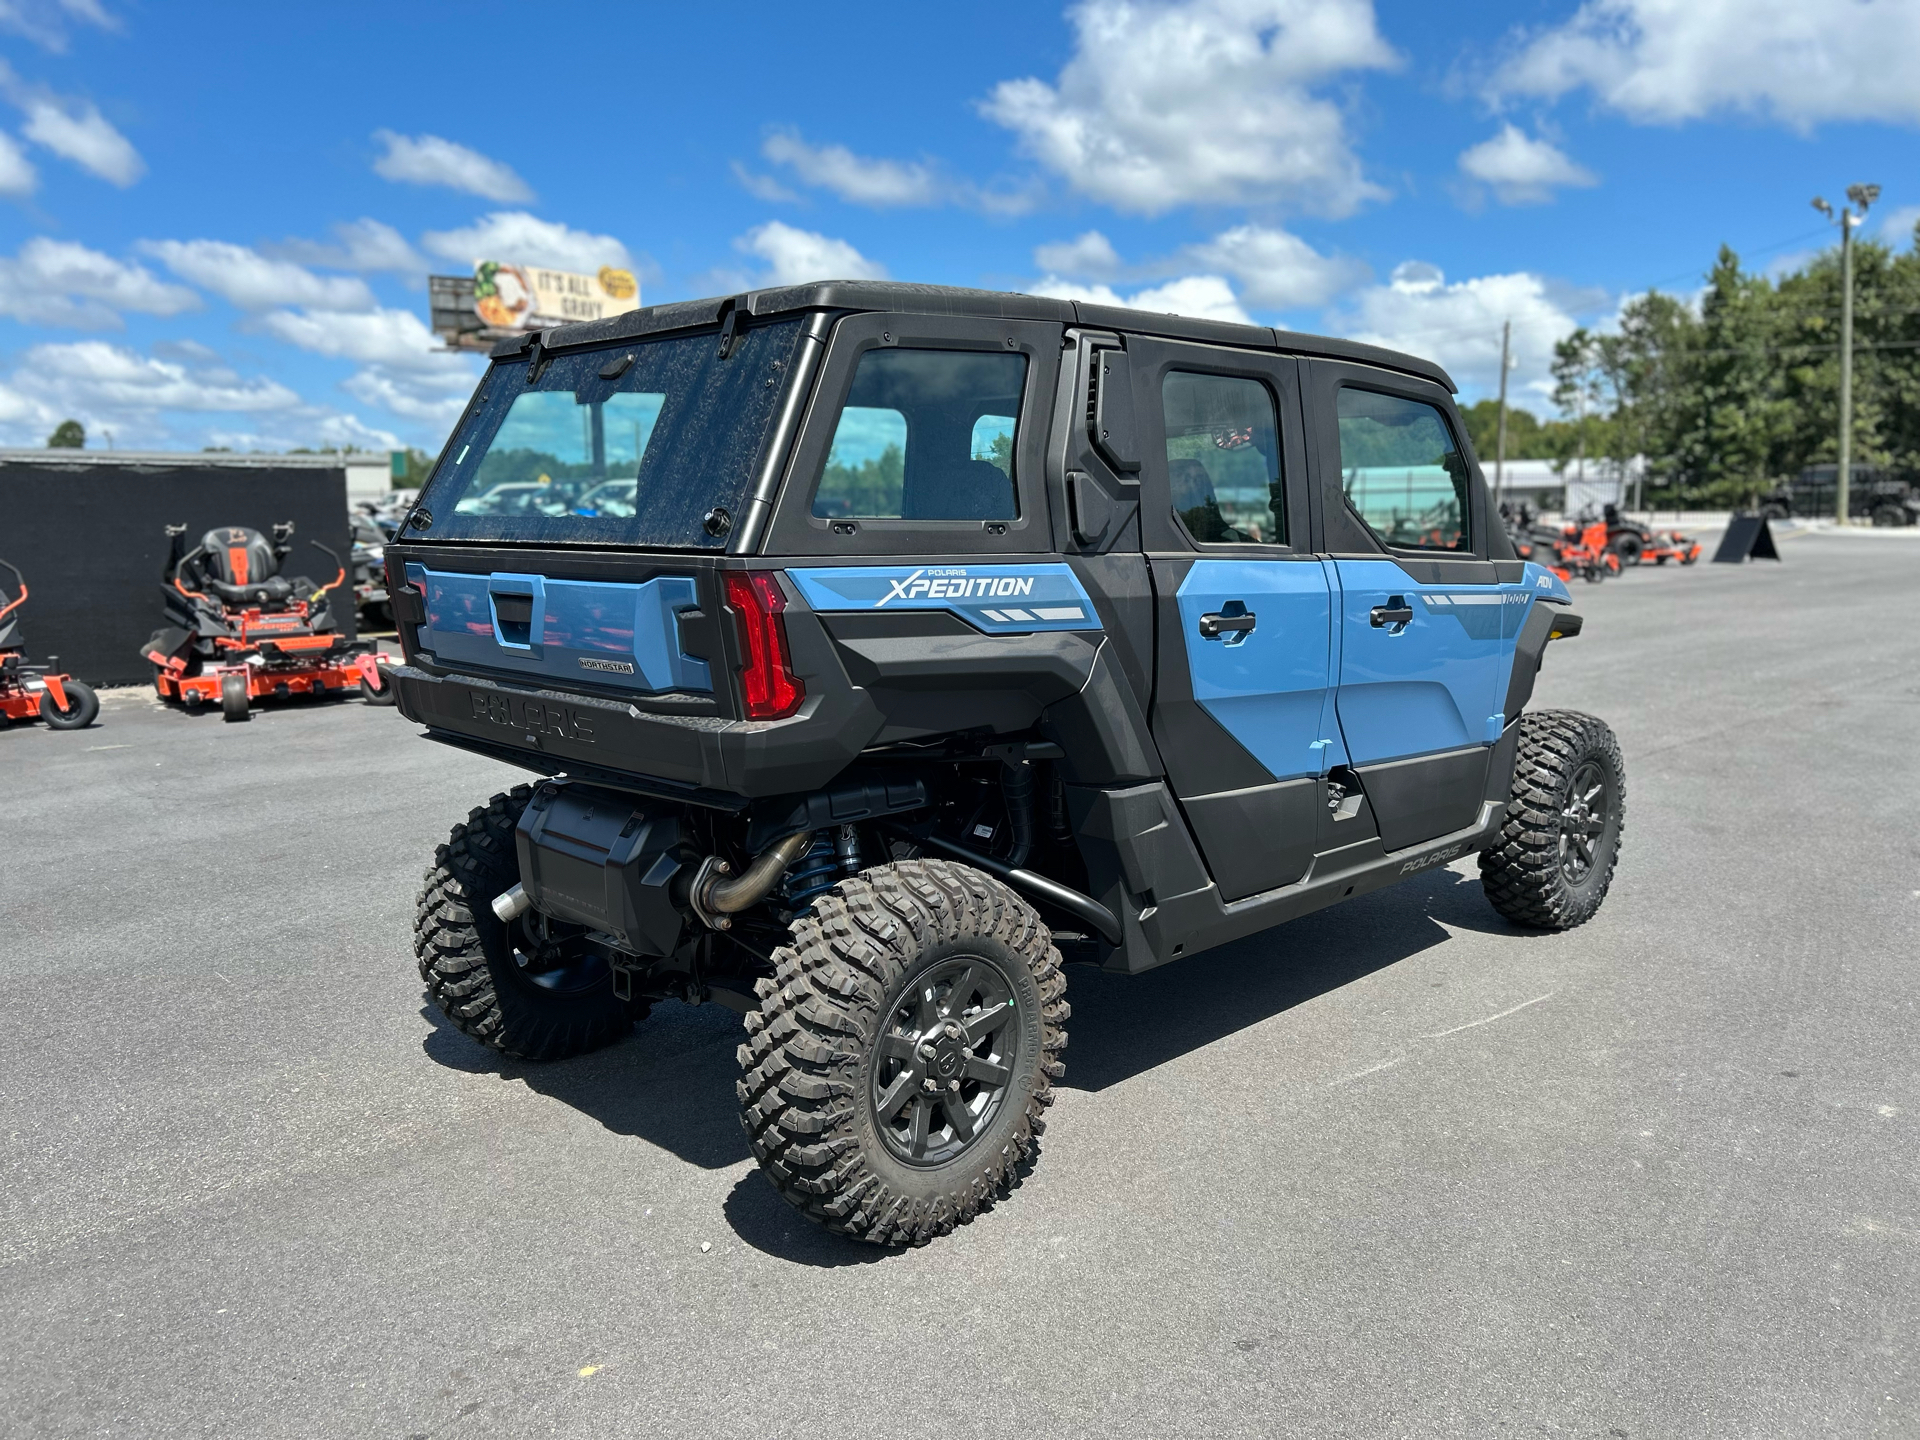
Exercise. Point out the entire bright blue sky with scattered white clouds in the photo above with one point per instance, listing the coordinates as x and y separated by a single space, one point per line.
218 218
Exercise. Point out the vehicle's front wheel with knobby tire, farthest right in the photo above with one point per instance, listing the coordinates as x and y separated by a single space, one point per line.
1554 859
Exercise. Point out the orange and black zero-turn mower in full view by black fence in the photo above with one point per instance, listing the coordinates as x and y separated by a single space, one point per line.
239 631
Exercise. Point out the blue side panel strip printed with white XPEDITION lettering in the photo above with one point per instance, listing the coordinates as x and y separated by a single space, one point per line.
1003 600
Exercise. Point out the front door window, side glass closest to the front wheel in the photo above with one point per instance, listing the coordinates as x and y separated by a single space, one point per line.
1403 471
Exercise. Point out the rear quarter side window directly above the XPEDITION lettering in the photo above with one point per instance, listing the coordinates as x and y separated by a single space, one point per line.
926 435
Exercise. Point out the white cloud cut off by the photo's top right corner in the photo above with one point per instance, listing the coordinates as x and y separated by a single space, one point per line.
1679 60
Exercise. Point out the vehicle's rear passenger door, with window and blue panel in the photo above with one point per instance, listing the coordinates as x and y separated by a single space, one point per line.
1243 661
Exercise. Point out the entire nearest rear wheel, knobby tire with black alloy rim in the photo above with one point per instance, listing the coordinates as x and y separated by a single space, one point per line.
917 948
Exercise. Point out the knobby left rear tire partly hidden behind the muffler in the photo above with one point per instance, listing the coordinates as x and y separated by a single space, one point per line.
469 957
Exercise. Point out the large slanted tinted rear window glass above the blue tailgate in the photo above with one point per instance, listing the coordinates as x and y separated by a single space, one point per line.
625 446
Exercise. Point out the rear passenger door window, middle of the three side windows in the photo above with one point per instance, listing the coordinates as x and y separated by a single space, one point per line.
1224 460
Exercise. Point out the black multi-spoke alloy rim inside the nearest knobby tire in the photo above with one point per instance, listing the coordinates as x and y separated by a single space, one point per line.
946 1061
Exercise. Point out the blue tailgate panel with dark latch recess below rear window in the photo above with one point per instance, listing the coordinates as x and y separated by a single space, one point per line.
612 635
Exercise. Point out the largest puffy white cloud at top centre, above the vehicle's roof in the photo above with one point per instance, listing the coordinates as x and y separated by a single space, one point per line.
1207 103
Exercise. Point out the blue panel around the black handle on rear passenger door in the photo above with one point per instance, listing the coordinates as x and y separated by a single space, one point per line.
1266 686
